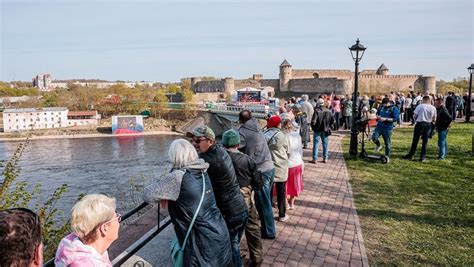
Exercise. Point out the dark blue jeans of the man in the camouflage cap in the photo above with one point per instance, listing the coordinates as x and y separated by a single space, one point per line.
236 226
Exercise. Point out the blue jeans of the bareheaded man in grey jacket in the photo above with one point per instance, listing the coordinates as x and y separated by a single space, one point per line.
263 202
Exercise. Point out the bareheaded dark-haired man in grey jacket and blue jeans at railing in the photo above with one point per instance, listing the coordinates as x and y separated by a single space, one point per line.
254 144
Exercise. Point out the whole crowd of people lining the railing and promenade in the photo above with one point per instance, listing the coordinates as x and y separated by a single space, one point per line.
216 192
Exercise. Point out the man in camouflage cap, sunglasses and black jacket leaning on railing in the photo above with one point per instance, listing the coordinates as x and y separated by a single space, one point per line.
224 182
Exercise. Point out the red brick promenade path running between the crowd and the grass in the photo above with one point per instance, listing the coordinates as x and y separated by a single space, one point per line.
323 230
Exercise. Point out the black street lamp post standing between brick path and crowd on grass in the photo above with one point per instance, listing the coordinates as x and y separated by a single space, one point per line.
357 51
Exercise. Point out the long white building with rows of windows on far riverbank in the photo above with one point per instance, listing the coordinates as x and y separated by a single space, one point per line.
30 118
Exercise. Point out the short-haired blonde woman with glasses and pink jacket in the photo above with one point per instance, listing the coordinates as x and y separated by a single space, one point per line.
95 225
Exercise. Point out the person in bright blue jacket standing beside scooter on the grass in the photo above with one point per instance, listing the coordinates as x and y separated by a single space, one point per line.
387 115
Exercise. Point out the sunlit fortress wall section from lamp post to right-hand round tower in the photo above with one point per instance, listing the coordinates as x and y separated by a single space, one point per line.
384 84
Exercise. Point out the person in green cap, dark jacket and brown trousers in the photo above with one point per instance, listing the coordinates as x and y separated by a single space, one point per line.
250 179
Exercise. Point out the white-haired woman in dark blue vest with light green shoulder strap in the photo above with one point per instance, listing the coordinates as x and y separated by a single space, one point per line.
207 243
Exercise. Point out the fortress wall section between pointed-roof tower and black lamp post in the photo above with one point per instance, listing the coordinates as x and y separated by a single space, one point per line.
320 86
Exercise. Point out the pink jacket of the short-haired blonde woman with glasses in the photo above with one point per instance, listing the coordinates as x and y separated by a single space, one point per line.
73 253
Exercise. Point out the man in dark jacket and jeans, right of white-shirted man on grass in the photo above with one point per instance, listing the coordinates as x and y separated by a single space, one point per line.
443 122
